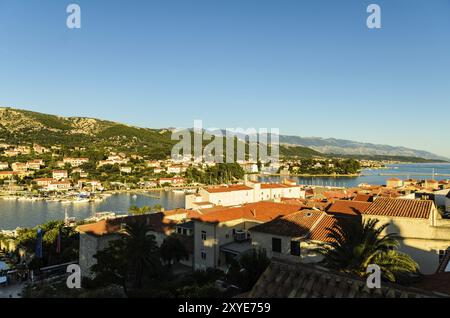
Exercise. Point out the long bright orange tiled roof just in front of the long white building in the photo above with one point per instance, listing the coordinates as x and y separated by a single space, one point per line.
263 211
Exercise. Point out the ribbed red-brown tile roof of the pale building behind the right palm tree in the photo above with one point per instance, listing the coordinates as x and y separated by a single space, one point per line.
407 208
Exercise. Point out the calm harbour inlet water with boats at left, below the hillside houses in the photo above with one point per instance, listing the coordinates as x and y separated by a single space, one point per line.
16 213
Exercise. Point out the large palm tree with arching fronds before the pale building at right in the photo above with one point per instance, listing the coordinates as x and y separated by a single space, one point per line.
355 245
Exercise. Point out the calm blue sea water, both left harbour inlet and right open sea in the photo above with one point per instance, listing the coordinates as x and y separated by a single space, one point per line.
32 213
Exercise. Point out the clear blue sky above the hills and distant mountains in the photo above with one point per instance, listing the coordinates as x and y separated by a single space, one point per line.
310 68
